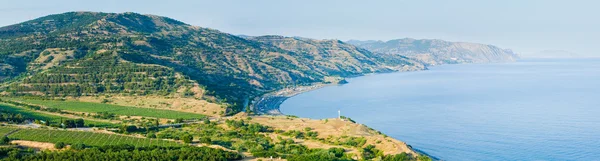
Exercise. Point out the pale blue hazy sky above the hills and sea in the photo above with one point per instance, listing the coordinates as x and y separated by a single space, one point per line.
526 26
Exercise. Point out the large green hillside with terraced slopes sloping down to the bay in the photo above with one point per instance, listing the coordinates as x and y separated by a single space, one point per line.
88 54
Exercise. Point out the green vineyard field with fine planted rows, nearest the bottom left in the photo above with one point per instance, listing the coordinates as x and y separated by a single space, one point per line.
87 138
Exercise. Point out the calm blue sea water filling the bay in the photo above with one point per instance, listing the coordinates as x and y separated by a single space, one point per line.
543 109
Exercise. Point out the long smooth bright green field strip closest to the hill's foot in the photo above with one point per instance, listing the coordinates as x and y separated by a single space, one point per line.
116 109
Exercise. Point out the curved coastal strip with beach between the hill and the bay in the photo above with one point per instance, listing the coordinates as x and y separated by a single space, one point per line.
268 104
